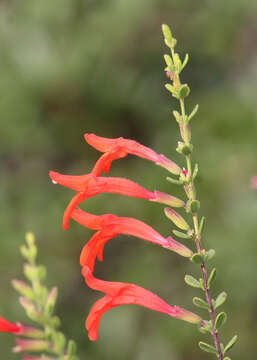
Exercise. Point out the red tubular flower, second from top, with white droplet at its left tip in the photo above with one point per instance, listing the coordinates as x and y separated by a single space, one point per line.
90 185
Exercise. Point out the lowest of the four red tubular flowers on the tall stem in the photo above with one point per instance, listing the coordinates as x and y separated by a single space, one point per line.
118 293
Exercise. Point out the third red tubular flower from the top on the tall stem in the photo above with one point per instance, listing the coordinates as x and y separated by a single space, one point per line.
111 226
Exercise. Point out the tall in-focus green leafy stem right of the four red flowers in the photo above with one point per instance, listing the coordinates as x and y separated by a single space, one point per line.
174 66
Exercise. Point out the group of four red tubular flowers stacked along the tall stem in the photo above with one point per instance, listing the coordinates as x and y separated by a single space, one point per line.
108 226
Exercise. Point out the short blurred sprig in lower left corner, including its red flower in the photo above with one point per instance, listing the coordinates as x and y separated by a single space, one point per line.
39 303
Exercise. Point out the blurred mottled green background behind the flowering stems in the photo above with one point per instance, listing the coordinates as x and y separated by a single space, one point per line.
73 66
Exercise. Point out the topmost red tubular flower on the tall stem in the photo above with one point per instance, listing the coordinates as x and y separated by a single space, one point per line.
119 148
